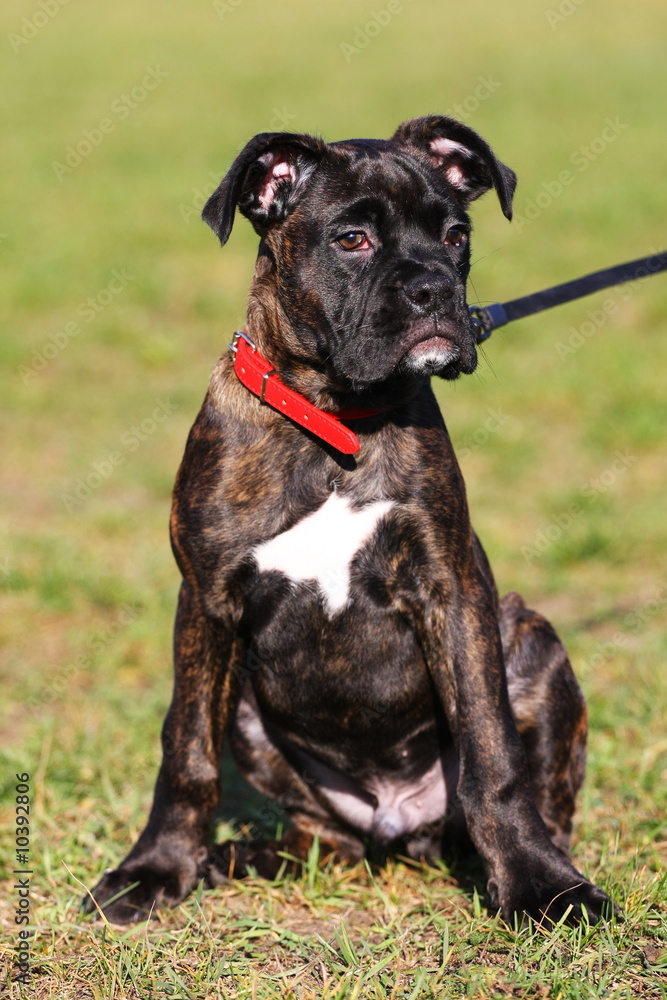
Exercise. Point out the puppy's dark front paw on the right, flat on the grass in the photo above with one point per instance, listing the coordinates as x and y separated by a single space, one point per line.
546 896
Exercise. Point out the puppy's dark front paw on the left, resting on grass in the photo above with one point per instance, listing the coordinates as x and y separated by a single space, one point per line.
134 891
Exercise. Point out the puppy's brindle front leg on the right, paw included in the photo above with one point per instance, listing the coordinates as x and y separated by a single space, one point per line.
460 638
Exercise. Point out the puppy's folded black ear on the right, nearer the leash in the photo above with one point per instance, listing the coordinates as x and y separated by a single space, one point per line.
465 160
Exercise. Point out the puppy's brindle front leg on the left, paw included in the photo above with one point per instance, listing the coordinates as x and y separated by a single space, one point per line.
165 860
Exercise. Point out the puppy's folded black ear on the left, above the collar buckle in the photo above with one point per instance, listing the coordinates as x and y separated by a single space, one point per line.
265 181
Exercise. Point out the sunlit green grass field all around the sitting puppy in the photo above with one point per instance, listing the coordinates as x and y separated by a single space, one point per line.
89 589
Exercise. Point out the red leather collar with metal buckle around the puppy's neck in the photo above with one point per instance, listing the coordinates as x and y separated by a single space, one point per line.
258 375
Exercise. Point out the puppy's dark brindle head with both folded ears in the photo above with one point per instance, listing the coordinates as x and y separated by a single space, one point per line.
368 244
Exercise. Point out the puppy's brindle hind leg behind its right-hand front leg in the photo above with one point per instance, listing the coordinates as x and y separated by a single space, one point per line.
550 713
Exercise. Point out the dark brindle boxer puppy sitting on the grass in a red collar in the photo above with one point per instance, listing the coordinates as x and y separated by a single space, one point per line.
338 619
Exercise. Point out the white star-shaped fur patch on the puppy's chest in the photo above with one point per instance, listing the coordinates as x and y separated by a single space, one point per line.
322 546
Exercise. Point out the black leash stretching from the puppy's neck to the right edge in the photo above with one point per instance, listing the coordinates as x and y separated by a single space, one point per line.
489 318
